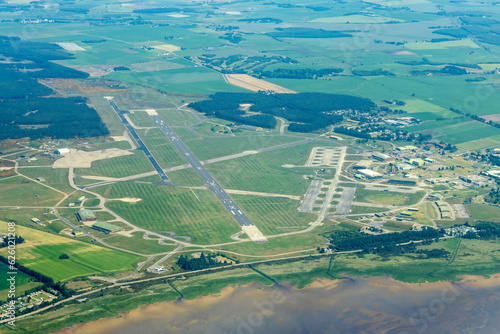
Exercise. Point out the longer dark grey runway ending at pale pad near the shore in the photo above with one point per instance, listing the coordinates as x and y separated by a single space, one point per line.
211 183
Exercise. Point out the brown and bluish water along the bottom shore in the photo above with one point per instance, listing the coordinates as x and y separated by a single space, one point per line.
374 305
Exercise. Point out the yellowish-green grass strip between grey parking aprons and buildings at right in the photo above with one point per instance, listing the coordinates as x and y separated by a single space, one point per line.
388 197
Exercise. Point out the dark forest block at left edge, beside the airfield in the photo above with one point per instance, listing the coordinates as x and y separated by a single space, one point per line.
25 109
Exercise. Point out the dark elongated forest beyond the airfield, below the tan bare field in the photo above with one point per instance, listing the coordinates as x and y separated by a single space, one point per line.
307 111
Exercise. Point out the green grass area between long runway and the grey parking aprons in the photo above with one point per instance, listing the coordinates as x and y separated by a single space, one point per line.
263 172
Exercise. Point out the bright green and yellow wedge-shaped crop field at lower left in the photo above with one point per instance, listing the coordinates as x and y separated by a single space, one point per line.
41 252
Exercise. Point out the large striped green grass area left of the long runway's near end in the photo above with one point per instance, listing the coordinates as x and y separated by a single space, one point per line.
194 213
